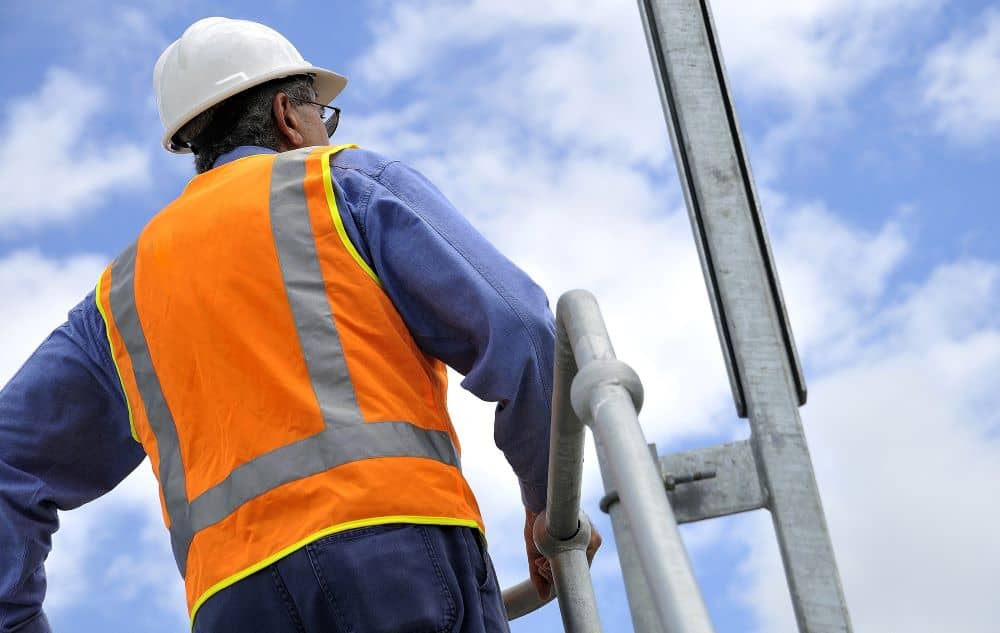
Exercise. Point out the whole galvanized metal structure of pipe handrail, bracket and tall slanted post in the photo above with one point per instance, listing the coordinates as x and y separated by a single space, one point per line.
771 470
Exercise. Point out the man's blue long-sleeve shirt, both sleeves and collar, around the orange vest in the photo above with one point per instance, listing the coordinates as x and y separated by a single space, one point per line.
64 429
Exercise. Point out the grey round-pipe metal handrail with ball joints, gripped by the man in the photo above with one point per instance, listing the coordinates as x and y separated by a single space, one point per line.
592 388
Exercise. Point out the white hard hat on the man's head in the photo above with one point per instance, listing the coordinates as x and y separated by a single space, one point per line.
216 58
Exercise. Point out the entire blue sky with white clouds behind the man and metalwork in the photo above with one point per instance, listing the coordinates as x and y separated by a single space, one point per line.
872 129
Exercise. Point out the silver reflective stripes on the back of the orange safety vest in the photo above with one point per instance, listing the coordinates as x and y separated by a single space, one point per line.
346 437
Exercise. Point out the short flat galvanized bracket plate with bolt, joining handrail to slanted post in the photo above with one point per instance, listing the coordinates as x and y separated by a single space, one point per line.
735 487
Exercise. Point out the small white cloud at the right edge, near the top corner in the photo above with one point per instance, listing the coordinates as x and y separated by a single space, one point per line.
962 82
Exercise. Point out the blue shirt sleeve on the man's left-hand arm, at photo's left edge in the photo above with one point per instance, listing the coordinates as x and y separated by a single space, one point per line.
64 441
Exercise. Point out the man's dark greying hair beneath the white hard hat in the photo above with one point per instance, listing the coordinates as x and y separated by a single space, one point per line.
243 119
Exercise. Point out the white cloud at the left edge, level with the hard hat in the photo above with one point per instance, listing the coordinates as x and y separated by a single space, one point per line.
51 167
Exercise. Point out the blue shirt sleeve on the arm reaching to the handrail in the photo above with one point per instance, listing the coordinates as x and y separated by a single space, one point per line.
468 305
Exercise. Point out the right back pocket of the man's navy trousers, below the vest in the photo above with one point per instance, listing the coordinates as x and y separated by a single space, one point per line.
384 579
